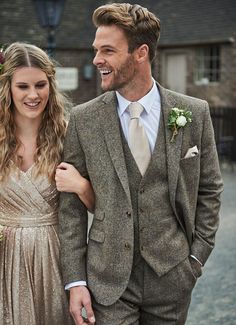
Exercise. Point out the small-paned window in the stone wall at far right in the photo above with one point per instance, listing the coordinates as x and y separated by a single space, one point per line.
207 67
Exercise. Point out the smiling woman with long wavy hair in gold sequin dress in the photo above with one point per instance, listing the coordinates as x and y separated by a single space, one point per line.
32 130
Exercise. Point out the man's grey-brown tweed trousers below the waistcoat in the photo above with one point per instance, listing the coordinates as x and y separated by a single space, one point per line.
151 300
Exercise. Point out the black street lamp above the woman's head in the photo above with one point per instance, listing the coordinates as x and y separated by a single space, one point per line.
49 14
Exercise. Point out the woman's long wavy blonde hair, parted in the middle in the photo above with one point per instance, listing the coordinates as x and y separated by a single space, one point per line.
53 127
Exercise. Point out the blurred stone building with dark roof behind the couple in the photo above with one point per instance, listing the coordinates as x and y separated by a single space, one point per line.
196 53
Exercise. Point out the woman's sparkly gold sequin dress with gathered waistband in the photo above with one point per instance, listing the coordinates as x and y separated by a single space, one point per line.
31 290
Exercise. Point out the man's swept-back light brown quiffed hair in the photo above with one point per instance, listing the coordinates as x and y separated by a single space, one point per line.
139 25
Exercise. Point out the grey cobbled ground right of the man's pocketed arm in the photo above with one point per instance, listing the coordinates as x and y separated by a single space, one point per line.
214 297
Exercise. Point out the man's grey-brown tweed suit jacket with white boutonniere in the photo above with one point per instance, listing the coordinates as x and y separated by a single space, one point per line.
93 145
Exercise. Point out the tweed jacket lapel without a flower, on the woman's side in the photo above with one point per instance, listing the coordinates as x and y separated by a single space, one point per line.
109 121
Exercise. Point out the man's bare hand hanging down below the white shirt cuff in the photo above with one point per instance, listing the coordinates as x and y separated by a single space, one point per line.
80 298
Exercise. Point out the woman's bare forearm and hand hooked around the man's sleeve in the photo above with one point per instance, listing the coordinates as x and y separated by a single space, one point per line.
68 179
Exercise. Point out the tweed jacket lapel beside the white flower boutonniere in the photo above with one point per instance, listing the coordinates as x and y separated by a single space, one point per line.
173 149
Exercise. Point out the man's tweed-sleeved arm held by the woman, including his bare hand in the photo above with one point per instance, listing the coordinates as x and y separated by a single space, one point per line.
73 221
